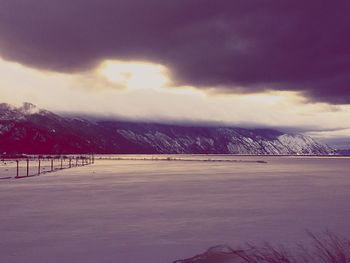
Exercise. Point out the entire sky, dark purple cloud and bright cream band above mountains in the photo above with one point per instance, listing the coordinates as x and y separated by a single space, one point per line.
256 63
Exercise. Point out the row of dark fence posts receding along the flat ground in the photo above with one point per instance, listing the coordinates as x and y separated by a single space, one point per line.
73 162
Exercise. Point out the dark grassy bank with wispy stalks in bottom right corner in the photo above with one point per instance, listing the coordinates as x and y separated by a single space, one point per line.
326 248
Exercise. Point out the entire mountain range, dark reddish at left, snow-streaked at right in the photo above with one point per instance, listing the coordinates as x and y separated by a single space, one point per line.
29 130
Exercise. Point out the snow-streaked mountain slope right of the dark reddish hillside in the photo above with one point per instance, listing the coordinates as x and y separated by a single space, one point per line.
224 140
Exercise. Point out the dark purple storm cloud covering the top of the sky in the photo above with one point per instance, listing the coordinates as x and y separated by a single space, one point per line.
255 44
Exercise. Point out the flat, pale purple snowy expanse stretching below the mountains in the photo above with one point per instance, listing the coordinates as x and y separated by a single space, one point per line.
157 211
